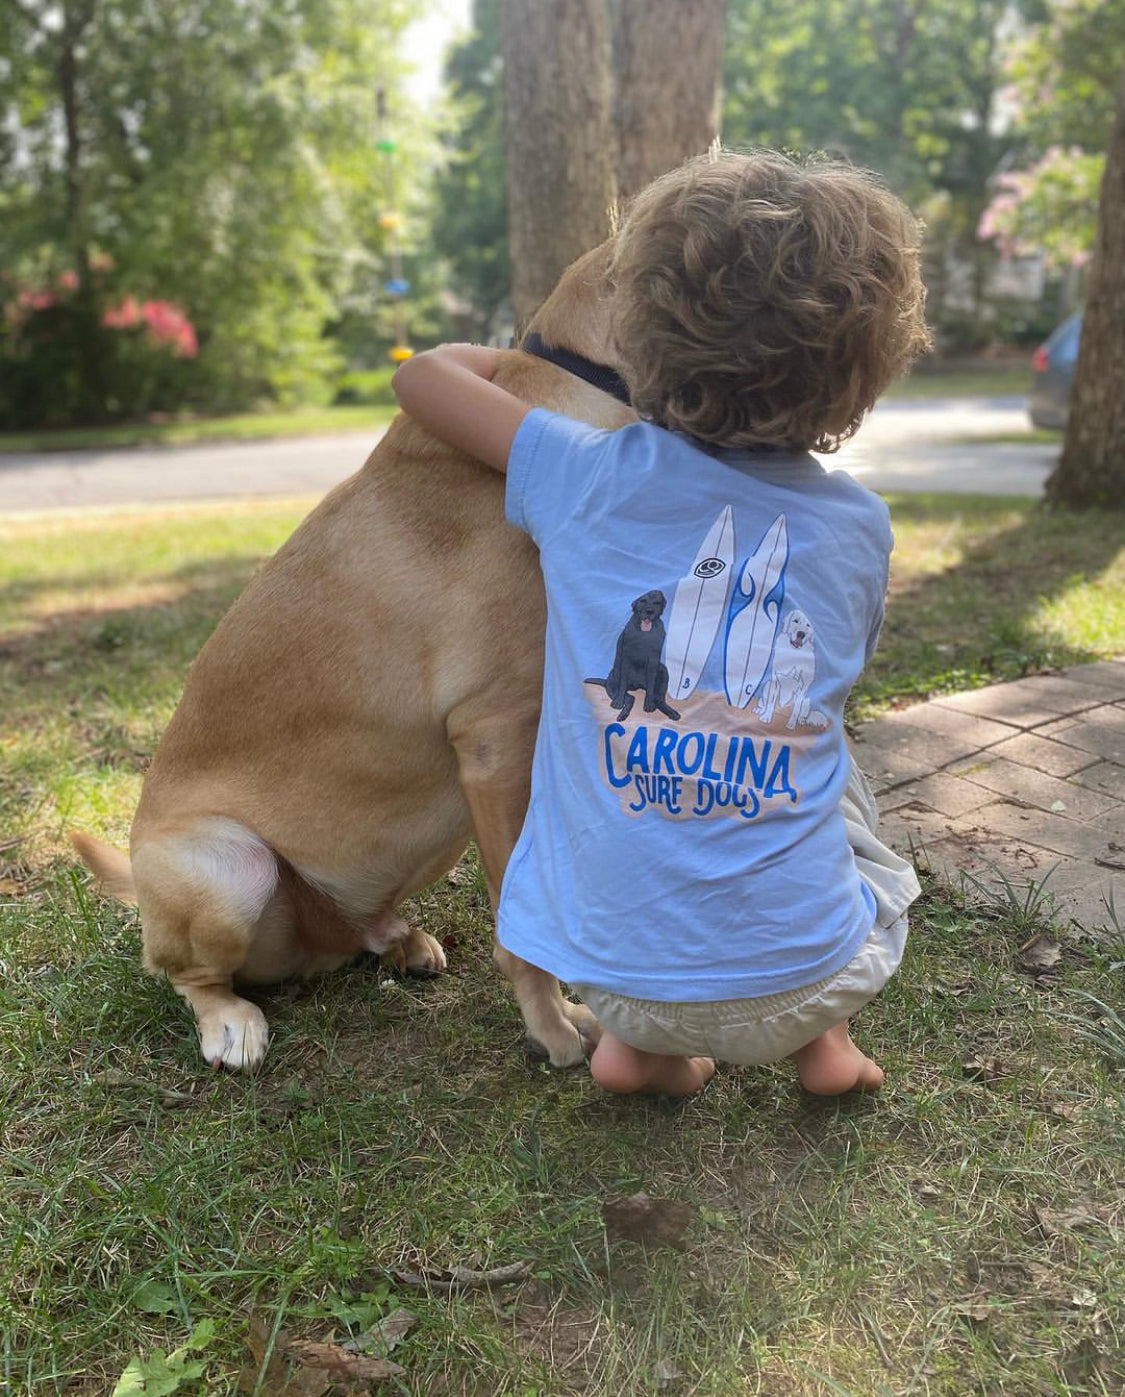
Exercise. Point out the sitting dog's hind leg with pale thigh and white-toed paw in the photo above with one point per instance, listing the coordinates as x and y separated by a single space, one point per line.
203 893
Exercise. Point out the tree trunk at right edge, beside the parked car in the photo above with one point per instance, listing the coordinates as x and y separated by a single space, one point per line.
1092 469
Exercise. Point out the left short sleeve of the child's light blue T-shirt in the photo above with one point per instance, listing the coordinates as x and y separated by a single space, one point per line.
553 465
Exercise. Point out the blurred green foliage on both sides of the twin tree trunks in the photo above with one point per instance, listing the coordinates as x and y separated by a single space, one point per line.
906 87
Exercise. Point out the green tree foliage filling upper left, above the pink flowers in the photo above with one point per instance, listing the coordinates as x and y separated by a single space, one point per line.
209 153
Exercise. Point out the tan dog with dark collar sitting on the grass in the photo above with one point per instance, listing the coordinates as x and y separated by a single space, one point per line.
368 705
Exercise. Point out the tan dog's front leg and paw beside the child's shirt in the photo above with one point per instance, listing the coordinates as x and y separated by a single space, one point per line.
495 768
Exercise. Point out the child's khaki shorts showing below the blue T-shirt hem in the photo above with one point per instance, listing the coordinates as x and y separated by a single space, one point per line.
753 1032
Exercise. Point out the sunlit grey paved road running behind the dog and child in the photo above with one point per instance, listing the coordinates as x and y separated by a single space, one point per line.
906 446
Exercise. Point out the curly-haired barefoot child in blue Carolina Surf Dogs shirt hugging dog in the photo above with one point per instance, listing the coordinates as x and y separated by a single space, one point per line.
699 858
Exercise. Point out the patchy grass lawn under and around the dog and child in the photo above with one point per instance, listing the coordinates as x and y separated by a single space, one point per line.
959 1236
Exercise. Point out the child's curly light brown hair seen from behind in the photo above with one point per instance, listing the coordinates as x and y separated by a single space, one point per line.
761 301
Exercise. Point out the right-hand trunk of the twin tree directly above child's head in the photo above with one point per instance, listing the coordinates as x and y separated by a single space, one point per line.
669 73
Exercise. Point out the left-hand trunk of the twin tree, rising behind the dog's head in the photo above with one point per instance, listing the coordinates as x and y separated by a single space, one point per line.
557 133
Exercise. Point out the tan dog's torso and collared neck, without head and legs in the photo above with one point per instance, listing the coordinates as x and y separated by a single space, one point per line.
318 713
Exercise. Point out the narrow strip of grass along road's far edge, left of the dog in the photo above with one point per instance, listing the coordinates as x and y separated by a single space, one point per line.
247 427
